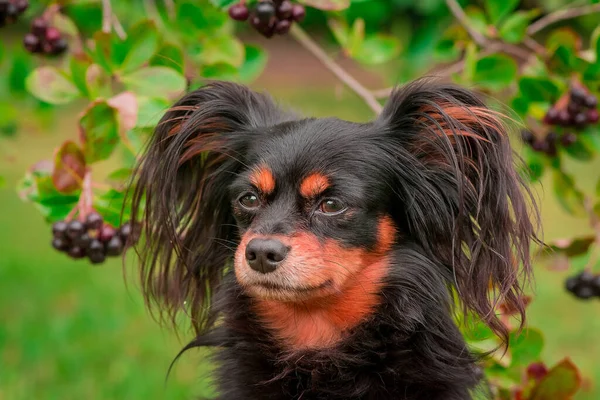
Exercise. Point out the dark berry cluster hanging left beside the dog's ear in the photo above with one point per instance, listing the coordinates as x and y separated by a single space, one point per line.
92 238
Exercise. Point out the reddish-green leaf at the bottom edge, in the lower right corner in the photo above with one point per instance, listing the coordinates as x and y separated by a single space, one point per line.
561 382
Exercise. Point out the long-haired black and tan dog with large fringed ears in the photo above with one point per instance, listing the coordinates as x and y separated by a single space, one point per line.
325 259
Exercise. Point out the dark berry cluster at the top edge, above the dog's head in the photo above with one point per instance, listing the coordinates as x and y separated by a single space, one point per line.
269 17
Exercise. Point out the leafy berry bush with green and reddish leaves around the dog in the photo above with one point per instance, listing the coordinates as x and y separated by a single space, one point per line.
125 64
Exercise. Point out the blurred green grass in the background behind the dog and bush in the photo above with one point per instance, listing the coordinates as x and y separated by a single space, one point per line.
72 331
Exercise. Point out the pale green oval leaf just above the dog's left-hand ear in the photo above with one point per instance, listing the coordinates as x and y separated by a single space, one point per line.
155 80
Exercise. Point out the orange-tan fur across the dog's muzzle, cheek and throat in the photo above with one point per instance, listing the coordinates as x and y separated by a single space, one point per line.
347 282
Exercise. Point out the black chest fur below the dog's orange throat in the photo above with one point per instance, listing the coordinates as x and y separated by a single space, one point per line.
416 354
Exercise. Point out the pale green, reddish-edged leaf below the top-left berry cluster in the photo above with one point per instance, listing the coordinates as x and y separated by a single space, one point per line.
50 85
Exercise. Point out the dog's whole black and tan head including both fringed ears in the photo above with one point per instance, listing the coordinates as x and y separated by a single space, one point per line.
302 209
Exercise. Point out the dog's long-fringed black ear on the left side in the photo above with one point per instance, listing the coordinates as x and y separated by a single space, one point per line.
180 195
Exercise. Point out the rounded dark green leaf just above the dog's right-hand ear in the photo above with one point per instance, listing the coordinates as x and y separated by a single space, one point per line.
495 72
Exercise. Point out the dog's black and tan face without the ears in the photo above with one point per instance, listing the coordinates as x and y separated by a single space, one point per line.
312 206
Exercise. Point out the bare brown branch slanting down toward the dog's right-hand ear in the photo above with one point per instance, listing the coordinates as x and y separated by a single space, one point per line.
309 44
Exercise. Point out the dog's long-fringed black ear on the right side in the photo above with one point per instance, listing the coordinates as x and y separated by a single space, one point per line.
465 203
